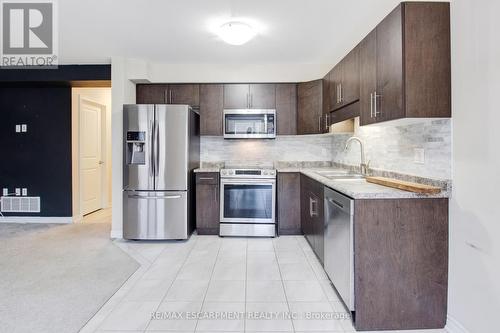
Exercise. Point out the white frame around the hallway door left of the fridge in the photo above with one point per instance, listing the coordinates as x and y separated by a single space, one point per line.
104 180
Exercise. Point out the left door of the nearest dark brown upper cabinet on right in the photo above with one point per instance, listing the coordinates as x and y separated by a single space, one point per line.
367 77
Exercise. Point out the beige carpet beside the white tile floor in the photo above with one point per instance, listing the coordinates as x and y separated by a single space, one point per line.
55 278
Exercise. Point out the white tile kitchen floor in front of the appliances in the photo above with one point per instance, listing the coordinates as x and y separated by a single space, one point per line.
212 275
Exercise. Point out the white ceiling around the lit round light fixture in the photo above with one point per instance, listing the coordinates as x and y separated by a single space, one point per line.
178 31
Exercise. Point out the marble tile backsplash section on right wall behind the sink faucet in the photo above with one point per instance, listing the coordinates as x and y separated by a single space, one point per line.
391 147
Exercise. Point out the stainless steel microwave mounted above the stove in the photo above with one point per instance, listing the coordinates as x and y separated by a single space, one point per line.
250 124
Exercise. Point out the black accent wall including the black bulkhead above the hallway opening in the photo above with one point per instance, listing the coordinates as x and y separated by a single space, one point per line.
40 159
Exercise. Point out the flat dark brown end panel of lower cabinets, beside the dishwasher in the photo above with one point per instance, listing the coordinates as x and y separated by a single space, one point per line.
400 263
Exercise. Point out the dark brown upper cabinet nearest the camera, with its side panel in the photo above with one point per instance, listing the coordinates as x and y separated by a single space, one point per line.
405 64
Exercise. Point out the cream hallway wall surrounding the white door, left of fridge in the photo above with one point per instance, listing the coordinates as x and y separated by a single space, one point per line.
101 96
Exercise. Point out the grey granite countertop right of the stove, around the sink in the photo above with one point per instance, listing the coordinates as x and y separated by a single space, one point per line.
360 188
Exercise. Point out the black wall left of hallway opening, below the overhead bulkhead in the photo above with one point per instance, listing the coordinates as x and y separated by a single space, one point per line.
39 159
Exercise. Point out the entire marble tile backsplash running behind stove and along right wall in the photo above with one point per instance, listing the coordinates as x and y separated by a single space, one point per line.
389 146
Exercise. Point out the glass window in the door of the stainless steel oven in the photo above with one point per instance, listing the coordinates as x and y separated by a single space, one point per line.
248 201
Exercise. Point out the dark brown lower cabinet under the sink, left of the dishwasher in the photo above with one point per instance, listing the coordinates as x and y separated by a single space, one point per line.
312 214
